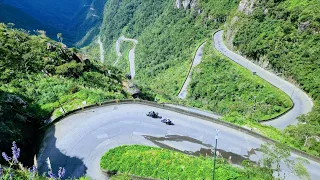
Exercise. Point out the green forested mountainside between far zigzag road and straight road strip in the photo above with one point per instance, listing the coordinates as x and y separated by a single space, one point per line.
169 37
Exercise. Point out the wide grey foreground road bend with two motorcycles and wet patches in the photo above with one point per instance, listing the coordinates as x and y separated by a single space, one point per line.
79 141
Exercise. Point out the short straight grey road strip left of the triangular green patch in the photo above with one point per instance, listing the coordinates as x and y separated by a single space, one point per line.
196 61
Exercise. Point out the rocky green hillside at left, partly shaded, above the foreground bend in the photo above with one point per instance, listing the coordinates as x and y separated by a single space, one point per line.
40 77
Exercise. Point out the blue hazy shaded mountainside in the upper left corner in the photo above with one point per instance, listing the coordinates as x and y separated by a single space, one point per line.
74 19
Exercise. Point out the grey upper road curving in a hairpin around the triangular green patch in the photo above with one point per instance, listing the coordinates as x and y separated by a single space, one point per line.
302 102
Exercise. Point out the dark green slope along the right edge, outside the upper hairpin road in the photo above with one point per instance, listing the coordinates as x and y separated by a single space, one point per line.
285 34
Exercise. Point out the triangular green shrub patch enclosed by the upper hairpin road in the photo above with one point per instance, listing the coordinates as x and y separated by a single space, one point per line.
222 86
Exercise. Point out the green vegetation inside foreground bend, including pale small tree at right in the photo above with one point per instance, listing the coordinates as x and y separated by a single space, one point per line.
159 163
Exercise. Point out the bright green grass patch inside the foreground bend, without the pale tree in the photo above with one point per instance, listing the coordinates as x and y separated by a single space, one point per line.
165 164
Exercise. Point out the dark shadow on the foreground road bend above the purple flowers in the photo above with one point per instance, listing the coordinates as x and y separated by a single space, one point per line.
74 166
